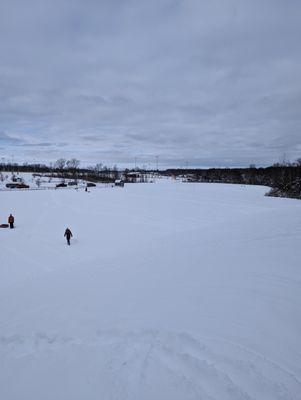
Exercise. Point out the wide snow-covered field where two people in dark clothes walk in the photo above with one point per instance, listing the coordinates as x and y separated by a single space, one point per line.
168 291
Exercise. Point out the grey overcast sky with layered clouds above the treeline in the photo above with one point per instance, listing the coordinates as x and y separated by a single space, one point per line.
194 82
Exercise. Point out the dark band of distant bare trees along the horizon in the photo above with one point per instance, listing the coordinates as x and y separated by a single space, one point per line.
283 179
